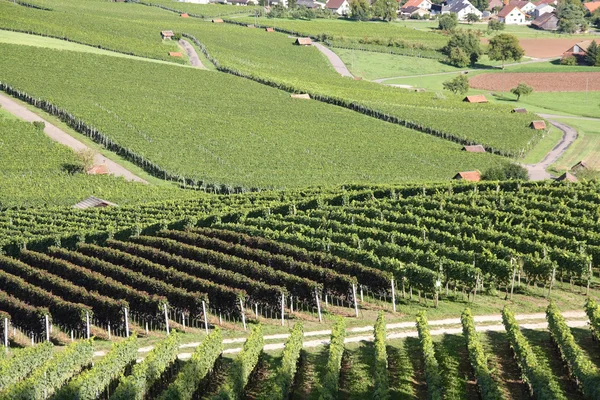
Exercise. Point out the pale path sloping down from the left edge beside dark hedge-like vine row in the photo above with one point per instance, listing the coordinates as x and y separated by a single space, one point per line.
64 138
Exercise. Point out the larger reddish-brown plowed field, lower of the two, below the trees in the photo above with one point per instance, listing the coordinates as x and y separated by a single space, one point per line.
540 81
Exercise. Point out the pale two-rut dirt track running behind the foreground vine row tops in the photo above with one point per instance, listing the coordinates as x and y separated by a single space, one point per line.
486 323
